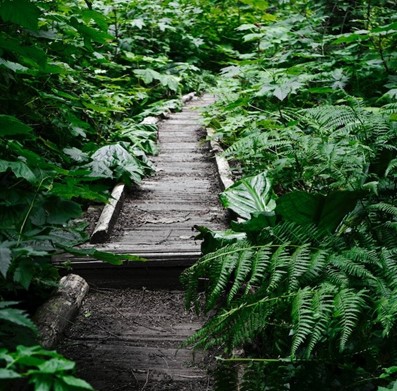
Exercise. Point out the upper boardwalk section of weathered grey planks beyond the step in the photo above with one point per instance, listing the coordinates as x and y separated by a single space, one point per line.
159 216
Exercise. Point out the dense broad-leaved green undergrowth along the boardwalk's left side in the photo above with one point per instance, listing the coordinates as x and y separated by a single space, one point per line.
76 80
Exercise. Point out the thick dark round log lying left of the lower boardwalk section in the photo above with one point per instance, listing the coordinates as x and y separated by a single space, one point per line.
57 313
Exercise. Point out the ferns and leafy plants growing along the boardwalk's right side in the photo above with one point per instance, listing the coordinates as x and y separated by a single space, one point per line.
303 284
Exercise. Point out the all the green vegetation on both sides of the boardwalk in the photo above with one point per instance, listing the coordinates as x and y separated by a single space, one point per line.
303 283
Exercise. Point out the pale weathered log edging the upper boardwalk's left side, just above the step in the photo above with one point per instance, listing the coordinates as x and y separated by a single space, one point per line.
109 215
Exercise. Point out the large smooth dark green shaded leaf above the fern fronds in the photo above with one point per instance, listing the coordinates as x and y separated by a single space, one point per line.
326 212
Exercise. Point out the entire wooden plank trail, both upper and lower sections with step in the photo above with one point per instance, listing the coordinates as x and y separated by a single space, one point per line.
128 333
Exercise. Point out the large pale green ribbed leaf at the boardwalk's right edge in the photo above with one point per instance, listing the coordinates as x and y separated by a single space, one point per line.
249 195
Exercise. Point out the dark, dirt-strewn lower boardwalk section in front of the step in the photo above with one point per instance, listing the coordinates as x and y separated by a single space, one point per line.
127 339
